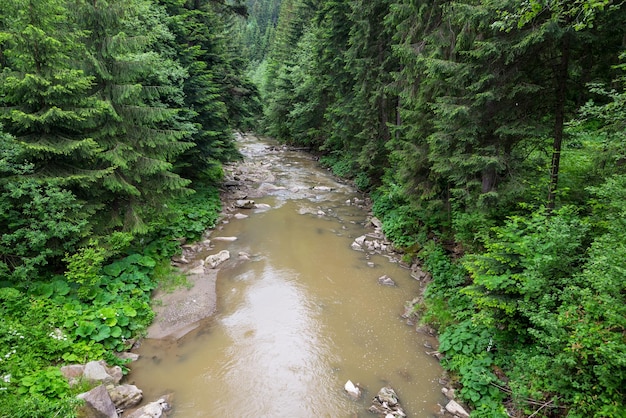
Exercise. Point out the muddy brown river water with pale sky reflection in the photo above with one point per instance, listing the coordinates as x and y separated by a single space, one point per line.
299 317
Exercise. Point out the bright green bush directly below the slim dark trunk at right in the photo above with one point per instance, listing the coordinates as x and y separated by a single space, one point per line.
518 281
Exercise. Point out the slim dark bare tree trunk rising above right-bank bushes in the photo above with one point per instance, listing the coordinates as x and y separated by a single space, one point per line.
559 118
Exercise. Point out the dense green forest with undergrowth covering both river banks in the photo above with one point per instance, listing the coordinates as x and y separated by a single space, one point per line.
490 134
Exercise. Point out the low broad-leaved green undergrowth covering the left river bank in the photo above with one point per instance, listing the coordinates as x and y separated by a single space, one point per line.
98 306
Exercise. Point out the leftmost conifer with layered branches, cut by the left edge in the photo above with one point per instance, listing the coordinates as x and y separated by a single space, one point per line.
47 103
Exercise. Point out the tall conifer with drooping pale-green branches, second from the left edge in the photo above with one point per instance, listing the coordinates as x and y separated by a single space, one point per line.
142 133
